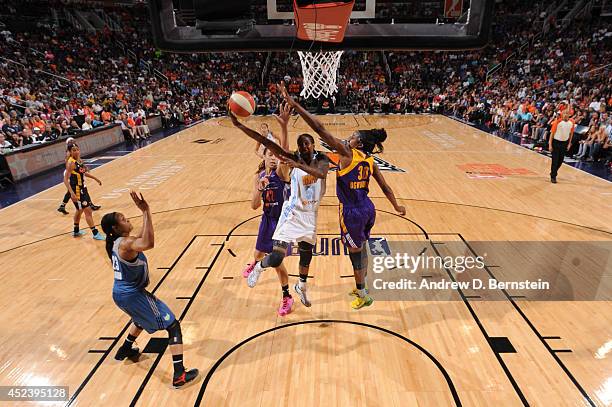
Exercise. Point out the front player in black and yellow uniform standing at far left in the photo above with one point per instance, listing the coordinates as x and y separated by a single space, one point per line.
74 179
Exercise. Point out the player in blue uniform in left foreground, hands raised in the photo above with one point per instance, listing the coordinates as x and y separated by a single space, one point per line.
131 278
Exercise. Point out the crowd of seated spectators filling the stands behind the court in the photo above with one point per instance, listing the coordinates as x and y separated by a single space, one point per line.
57 81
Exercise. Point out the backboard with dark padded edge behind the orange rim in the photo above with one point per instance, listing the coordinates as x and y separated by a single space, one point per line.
268 25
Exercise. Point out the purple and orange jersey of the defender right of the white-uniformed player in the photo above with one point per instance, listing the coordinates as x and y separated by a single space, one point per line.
352 182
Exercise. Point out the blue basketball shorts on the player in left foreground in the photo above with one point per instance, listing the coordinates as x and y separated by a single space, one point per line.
146 310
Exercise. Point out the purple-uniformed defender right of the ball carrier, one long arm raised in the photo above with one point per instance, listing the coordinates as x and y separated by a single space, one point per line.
357 212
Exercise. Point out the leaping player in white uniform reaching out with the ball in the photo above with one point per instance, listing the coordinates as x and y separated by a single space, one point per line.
307 170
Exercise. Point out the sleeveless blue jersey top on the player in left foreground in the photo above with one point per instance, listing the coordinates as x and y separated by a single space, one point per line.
129 276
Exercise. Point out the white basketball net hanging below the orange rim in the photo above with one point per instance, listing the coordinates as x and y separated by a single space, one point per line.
319 70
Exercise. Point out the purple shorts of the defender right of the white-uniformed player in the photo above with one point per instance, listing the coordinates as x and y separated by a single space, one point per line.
356 223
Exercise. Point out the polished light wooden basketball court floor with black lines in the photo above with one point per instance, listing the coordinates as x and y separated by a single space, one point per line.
60 326
